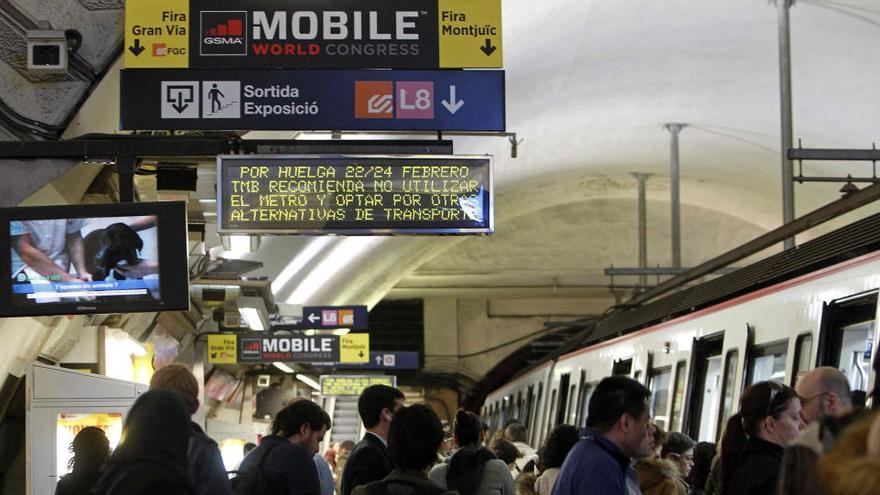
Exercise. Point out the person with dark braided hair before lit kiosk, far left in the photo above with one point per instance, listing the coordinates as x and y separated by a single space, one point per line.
90 450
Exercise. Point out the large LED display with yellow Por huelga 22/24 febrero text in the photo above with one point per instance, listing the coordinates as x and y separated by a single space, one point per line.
315 195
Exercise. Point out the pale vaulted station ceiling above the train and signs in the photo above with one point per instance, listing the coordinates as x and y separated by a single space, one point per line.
590 85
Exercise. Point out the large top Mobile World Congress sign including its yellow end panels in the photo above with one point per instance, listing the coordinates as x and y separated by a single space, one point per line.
306 34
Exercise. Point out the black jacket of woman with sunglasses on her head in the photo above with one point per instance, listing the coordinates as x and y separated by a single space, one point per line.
757 471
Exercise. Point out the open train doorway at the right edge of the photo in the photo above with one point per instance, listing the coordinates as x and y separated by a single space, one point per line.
847 338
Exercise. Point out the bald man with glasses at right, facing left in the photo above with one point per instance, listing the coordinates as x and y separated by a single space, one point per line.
825 405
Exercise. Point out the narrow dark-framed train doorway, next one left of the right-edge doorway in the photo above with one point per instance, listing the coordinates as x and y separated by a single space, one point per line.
704 395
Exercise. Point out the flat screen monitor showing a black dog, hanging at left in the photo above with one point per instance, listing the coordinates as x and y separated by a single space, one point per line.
81 259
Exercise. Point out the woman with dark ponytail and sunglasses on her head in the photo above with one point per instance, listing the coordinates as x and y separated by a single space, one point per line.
751 450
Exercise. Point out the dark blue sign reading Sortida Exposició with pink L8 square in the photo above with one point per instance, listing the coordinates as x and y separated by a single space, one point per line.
312 100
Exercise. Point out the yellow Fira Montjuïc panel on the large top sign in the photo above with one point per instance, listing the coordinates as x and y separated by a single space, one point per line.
470 33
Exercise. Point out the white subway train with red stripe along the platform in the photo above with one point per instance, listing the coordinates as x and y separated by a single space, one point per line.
696 350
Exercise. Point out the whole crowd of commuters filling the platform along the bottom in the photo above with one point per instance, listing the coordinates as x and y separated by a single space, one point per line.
812 440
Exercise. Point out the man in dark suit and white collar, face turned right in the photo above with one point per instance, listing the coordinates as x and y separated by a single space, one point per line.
369 460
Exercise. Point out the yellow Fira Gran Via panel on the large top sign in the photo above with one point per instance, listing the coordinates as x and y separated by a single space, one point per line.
156 34
